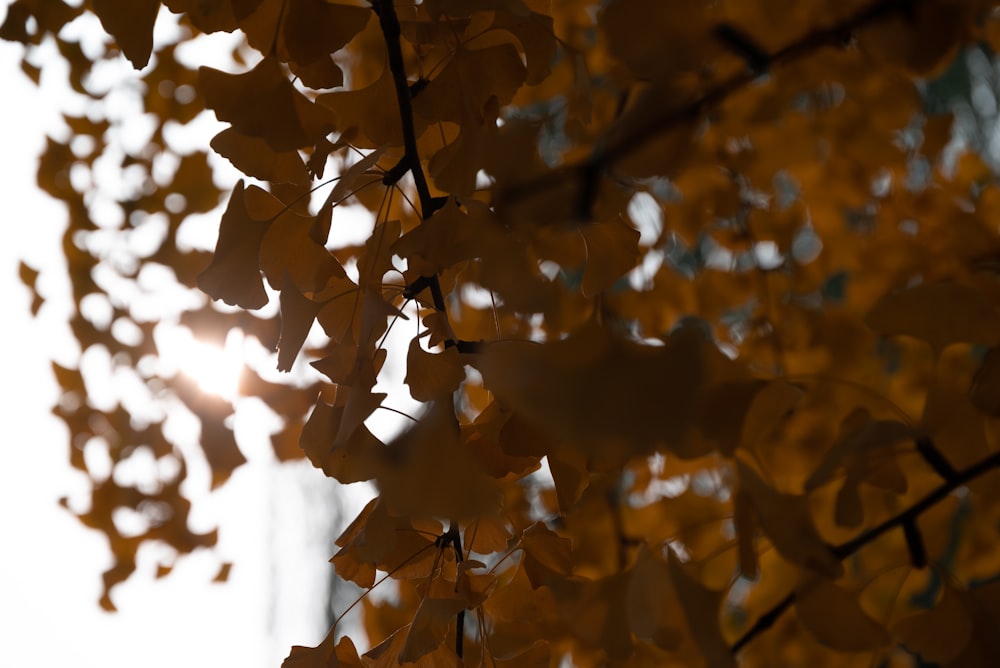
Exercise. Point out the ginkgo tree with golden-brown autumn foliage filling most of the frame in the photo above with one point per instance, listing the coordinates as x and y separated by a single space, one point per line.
704 308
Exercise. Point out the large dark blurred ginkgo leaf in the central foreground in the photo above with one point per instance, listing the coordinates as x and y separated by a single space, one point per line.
610 395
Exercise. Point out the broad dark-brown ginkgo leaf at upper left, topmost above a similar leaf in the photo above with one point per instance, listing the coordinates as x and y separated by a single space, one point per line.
263 103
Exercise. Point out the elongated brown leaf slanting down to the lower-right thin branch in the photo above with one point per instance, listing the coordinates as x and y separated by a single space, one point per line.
786 519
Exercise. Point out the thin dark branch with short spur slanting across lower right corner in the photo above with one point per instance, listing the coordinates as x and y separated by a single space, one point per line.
906 520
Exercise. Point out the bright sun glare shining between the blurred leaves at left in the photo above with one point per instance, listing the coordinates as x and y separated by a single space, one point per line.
216 369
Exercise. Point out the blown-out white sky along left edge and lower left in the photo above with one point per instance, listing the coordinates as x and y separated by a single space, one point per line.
271 521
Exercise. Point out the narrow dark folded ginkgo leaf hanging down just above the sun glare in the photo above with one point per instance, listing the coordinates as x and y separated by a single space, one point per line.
234 274
